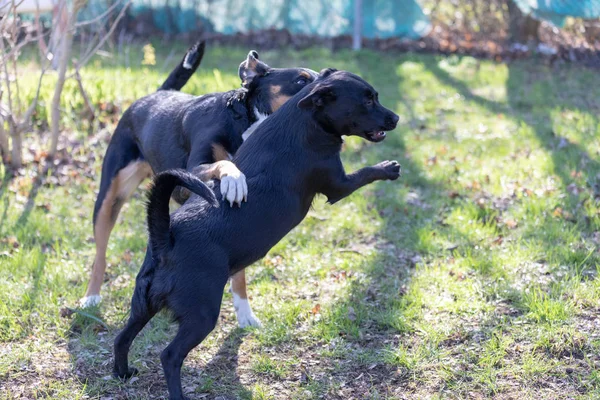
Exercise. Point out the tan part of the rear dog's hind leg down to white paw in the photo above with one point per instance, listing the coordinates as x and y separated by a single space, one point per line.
121 188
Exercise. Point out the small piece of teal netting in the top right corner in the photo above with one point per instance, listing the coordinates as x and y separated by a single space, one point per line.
556 11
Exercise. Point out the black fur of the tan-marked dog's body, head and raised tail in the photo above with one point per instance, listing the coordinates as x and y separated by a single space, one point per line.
169 129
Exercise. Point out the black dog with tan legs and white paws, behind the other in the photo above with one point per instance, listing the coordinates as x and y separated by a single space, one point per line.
169 129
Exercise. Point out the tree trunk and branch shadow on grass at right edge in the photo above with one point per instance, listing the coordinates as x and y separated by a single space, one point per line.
531 101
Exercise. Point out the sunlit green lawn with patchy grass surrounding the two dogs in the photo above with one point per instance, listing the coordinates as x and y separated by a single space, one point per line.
473 276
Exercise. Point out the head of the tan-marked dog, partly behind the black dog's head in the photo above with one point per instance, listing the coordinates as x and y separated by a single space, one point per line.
270 87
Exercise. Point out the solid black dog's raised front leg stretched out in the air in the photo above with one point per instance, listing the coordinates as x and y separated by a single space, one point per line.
344 185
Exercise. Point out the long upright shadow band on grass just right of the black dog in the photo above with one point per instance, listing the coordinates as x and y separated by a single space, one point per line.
370 317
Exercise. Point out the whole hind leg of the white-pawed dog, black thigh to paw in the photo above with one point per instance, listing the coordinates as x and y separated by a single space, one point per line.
121 175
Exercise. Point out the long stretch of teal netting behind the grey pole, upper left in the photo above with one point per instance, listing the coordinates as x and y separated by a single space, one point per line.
381 18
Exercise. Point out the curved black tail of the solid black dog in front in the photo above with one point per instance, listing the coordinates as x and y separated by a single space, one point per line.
159 221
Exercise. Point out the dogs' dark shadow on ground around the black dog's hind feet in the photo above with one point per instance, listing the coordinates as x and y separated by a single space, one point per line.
91 346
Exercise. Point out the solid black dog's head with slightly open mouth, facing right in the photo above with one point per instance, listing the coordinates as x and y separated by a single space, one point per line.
345 104
